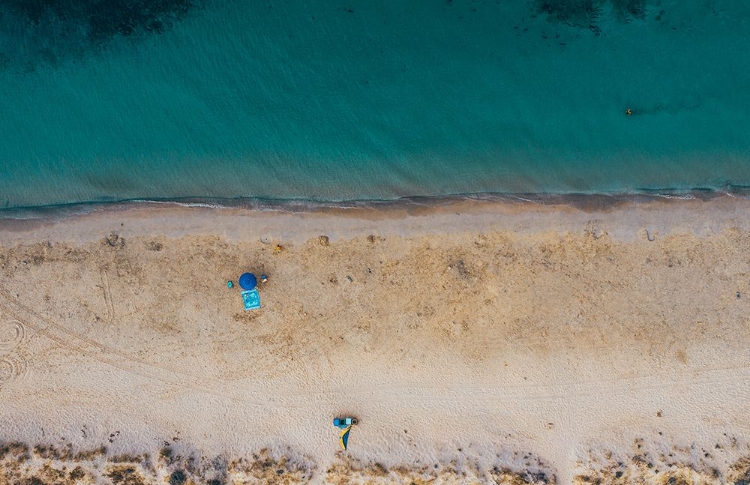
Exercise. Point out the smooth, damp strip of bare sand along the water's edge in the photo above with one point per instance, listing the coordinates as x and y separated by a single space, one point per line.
624 218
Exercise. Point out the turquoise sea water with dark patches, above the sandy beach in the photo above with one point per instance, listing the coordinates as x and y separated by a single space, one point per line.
338 100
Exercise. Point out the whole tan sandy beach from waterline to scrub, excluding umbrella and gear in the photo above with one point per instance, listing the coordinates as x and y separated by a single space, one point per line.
476 341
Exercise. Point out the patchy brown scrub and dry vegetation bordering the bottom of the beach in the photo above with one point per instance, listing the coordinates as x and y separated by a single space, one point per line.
661 463
